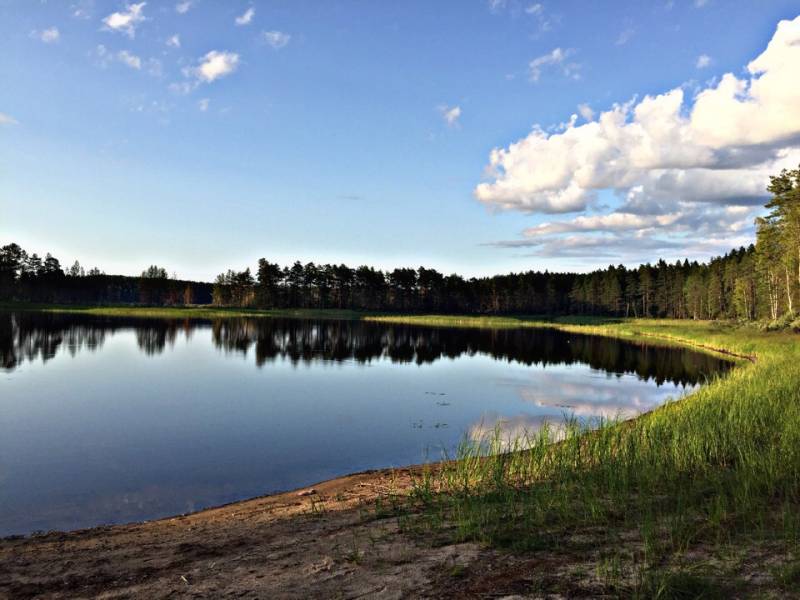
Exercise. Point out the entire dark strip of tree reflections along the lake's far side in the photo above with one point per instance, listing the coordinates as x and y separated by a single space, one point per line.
26 336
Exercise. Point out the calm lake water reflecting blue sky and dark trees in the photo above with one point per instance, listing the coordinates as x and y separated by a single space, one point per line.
116 420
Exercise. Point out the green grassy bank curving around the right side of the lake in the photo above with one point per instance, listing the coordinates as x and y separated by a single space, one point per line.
699 498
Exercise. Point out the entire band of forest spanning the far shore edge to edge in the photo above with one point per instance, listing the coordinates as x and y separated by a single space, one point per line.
760 282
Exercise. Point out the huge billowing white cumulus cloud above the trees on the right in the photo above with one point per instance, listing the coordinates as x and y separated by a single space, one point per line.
677 165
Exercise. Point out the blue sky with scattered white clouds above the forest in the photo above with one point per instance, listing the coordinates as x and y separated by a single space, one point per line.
360 131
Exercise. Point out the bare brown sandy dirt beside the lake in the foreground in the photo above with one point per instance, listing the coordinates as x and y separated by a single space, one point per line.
322 542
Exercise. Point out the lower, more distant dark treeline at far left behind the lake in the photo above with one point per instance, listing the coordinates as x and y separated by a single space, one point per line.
28 278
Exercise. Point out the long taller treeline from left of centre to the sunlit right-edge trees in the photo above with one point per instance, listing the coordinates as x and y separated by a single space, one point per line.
761 281
